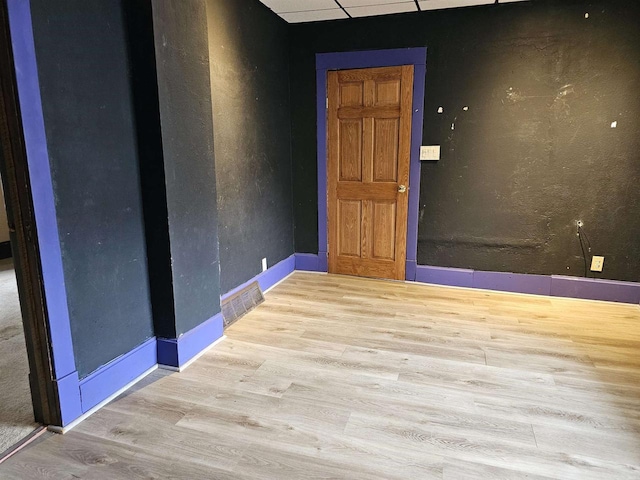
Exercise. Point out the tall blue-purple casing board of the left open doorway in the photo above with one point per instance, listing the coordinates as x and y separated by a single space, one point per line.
41 187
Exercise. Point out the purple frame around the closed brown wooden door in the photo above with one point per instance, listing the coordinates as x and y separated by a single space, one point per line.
370 59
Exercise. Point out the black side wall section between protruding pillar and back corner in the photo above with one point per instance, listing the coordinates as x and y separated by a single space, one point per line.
248 47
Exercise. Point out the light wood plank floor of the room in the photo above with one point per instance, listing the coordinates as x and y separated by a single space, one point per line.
340 377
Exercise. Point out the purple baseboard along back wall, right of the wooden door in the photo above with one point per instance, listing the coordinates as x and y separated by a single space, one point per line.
550 285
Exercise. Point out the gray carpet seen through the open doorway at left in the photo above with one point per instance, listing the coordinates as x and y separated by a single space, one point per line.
16 413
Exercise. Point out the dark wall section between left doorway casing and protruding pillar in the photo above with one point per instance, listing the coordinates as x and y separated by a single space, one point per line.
84 79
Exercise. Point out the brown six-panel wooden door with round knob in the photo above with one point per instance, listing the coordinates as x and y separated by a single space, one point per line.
368 139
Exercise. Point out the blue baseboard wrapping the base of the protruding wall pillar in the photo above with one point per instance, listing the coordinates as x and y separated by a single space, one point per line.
177 352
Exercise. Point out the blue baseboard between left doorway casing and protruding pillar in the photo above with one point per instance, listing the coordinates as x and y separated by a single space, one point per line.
112 377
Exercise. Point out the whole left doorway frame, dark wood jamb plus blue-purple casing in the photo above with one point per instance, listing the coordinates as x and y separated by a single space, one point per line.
42 286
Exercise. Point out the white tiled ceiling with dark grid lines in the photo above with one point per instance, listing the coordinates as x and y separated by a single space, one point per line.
297 11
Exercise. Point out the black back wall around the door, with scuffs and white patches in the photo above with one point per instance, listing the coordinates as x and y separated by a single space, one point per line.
535 151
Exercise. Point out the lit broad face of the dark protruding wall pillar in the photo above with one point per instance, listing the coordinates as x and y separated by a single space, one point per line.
184 92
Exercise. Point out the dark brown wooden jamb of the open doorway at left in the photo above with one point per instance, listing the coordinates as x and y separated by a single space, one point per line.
21 192
